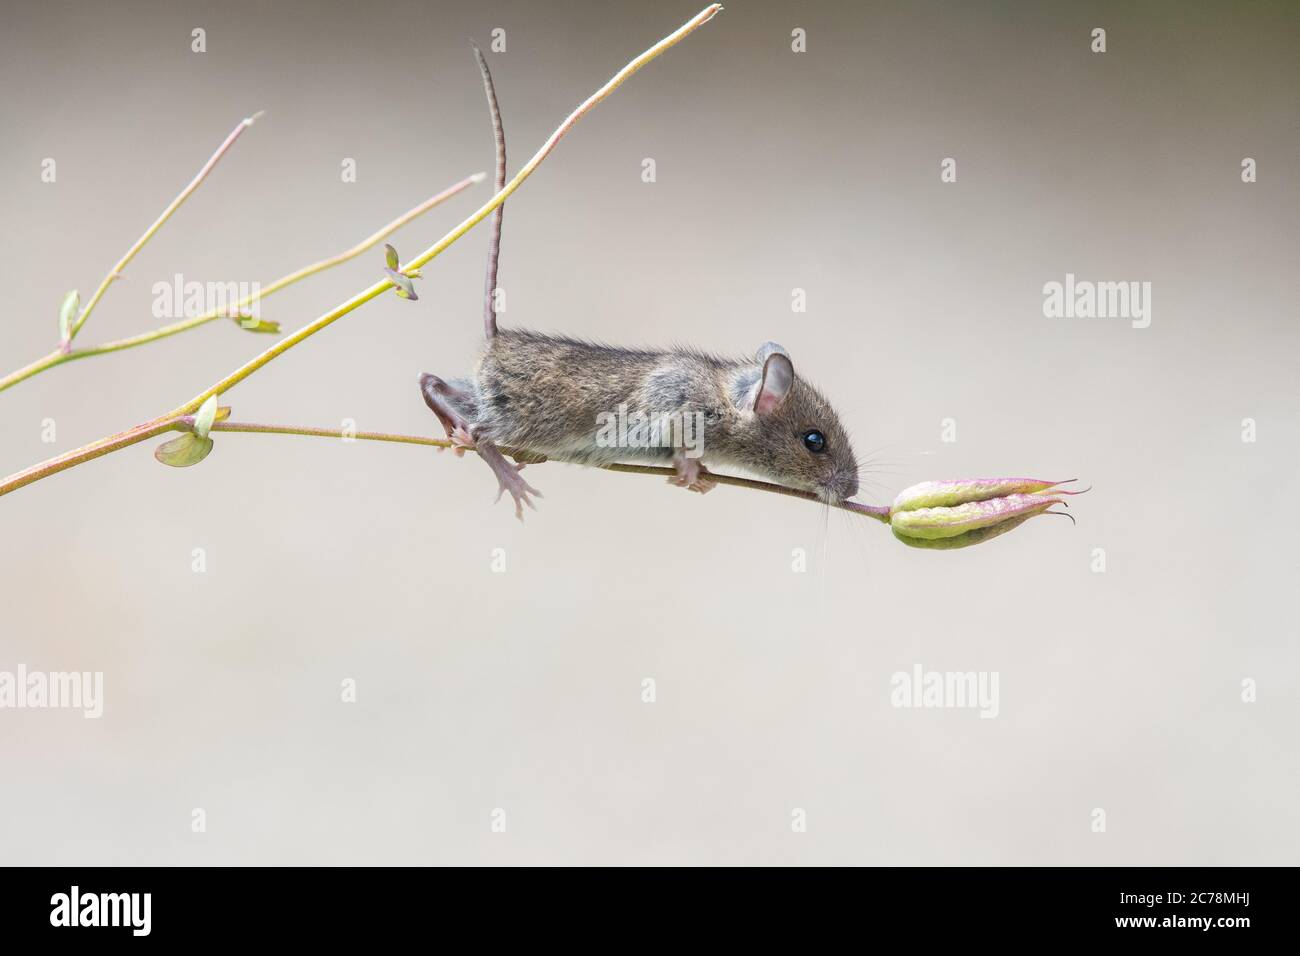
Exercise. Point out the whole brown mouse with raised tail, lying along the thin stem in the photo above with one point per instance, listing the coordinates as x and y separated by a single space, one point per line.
548 397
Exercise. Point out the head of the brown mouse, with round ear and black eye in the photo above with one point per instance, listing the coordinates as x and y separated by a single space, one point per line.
795 432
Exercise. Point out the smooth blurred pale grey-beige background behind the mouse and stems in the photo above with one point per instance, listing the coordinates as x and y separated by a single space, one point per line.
522 690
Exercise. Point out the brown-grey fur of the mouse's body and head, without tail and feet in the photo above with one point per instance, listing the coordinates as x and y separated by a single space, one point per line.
545 393
